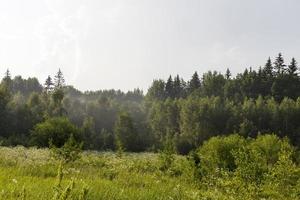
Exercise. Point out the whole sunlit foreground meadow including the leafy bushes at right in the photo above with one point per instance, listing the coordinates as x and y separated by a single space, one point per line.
264 168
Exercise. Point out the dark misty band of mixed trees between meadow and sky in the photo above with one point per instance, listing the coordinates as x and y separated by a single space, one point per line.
177 112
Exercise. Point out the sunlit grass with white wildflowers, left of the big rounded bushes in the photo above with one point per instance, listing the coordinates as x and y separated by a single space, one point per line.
32 174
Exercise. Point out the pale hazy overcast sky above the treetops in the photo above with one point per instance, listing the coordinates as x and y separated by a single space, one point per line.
125 44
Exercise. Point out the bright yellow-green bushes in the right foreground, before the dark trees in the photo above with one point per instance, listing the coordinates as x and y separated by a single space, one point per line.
263 168
